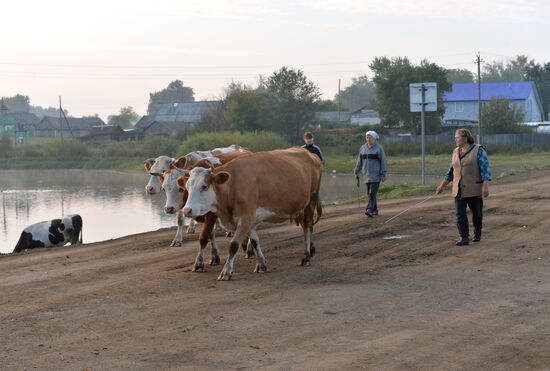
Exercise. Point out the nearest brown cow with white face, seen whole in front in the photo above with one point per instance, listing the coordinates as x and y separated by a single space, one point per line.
272 186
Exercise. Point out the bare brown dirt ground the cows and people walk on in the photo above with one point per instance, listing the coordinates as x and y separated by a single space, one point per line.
368 301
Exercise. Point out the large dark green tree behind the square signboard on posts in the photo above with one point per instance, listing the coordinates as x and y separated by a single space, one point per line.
392 78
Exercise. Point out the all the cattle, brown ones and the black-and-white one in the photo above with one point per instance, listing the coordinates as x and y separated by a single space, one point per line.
231 185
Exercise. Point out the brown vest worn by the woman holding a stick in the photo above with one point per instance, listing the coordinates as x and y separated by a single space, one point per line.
466 173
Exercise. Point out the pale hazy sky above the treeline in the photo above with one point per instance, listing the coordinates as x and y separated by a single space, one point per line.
100 56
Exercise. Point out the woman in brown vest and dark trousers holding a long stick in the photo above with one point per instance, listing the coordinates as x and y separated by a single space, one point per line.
470 175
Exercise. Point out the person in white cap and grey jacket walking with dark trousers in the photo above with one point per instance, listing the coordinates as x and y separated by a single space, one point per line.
373 165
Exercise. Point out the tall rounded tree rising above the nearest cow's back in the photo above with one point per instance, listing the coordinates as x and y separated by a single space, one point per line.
293 97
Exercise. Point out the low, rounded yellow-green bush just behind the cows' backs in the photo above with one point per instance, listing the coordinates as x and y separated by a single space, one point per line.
255 141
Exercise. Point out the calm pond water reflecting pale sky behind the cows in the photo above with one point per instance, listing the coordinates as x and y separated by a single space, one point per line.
112 203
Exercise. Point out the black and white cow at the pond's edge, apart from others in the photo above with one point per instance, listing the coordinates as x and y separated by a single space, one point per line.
55 232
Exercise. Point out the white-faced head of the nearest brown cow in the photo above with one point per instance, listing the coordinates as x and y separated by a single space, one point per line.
201 193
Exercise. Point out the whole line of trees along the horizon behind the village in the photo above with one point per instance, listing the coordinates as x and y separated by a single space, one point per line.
286 101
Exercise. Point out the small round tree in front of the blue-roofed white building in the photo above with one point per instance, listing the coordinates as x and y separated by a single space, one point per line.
499 116
